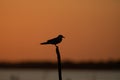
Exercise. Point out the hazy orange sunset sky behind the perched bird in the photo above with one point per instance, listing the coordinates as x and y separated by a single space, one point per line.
91 28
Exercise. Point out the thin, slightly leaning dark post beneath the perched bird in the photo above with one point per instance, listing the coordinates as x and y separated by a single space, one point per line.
59 63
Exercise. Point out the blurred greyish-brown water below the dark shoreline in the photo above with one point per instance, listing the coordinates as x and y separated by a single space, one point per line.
53 75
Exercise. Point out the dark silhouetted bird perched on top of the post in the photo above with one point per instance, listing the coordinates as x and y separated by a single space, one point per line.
54 41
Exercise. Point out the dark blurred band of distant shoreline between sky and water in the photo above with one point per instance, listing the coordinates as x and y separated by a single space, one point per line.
65 65
